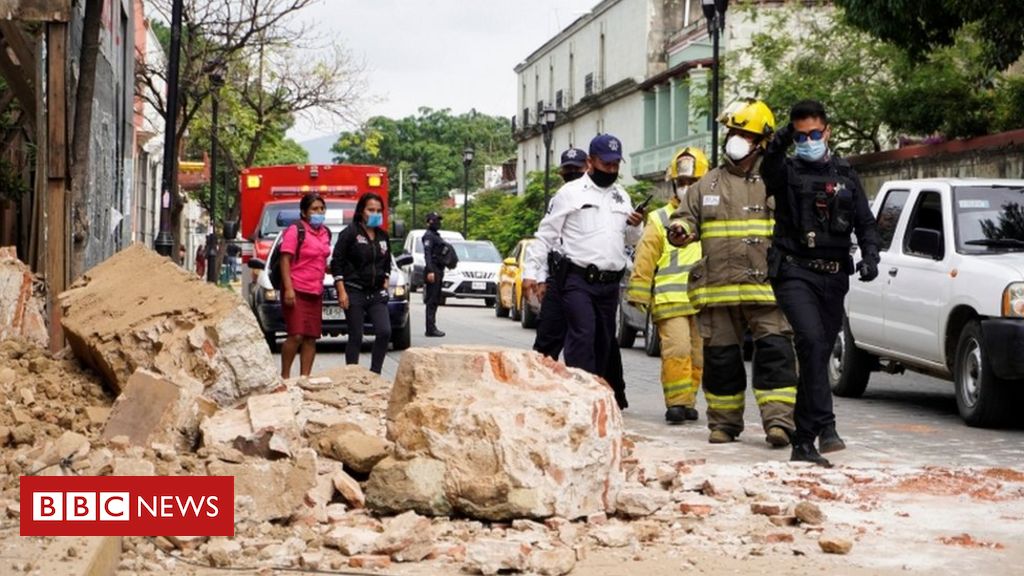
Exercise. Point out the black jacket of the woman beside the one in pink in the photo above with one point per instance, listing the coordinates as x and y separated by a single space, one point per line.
359 262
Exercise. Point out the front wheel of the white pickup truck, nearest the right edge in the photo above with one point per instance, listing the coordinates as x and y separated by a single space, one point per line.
984 400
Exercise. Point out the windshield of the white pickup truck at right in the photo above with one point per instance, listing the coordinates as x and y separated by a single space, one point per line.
990 219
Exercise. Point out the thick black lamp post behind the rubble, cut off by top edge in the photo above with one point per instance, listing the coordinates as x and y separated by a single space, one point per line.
165 242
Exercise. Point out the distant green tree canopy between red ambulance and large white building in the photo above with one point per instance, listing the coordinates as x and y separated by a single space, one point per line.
430 144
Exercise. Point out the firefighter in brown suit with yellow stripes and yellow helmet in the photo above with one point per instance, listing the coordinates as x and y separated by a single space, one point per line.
729 213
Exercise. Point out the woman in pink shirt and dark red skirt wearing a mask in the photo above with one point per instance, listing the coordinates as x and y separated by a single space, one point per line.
303 268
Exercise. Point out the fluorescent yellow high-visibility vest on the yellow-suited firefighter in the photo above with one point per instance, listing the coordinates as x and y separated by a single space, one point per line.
672 277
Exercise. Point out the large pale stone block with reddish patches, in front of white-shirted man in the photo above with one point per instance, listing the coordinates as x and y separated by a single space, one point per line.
519 436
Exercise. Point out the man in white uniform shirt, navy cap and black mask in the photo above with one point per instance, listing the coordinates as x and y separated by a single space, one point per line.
590 222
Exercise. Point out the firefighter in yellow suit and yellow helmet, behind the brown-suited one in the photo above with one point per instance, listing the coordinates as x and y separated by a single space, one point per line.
659 284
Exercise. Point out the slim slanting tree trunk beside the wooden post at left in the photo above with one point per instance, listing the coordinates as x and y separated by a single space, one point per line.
82 132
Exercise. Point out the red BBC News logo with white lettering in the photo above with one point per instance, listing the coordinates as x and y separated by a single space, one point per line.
127 506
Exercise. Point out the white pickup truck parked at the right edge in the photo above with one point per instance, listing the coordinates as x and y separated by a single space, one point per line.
950 297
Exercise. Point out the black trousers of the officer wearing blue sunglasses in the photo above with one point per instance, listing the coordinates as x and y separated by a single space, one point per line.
814 305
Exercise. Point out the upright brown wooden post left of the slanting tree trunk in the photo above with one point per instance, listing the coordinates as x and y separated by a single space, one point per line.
57 170
